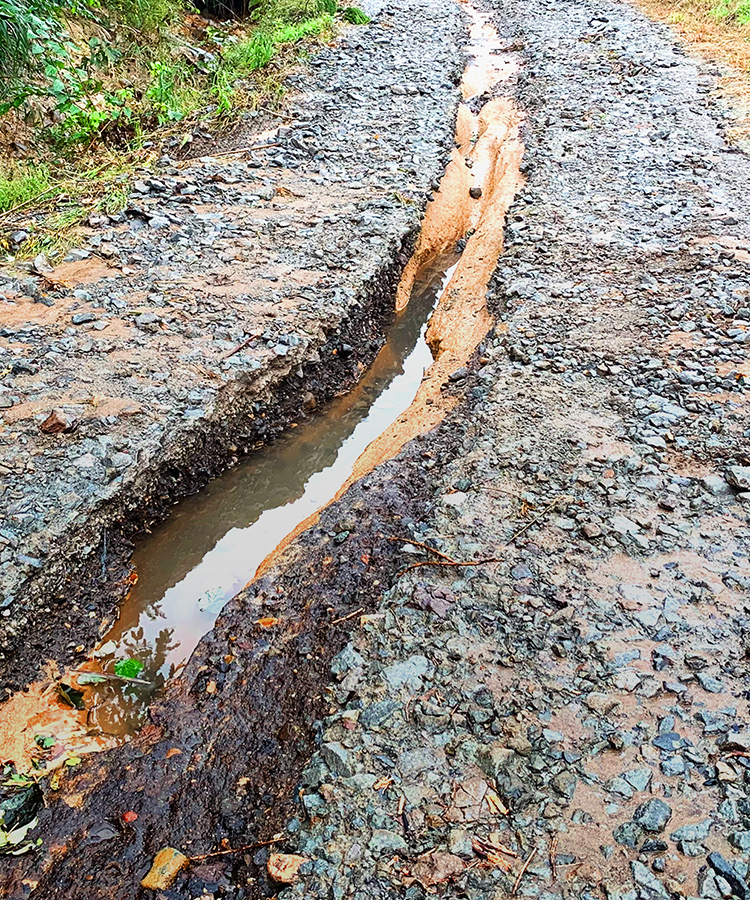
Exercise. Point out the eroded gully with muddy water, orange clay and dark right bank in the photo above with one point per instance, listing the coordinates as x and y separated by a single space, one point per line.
194 724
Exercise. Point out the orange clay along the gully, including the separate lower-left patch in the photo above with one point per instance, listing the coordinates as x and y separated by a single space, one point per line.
492 145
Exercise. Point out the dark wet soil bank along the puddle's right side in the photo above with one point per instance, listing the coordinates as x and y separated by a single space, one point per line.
233 732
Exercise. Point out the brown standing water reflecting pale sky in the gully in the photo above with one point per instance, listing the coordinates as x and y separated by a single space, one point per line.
212 543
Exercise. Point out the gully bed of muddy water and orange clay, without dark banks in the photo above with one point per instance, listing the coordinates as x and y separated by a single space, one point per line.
213 544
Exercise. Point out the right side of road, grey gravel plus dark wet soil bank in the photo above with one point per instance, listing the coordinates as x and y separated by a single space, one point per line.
557 704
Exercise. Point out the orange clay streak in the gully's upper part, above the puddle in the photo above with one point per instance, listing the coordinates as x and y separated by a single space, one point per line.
488 157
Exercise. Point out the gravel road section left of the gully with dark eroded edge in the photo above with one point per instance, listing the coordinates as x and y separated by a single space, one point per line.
232 296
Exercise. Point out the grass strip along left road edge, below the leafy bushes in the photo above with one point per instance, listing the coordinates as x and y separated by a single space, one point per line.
173 87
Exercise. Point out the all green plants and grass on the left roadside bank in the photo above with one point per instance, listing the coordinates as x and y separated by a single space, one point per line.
91 88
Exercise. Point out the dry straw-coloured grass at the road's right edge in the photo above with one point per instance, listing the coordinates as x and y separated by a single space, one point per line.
718 30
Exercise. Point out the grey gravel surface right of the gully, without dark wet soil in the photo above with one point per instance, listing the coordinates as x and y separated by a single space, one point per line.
583 702
